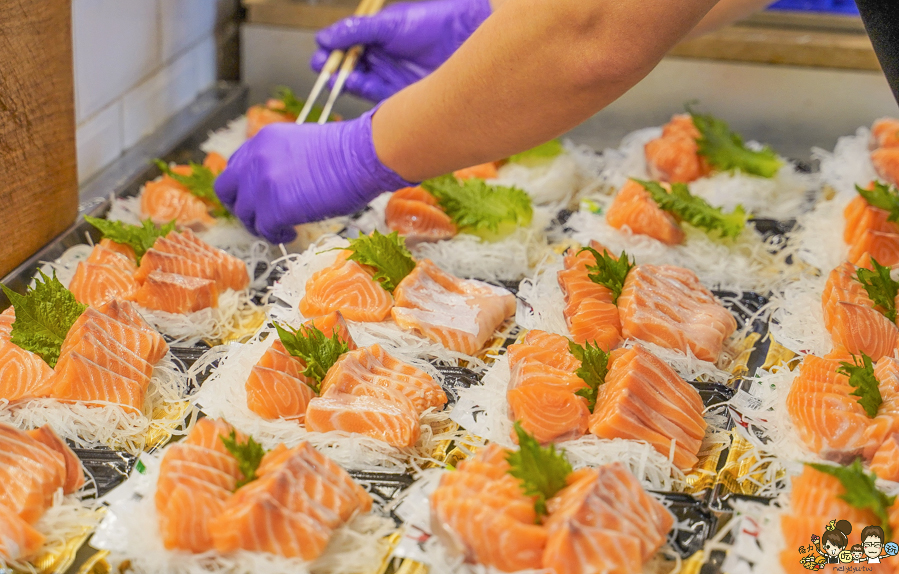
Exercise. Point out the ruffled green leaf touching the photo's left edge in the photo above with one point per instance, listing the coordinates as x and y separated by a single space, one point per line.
44 316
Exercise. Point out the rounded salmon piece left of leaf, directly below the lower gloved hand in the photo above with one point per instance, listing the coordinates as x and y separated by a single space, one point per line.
346 287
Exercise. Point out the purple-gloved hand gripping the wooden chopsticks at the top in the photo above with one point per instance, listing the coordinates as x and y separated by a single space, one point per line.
403 43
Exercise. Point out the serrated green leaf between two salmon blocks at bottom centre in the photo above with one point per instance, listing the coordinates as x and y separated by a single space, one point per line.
541 471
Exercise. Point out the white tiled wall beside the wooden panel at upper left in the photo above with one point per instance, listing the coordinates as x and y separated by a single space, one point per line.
137 62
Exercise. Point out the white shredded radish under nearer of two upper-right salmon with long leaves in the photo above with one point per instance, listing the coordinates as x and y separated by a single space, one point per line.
745 263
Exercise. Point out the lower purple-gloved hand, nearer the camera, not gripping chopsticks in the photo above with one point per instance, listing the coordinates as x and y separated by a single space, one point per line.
290 174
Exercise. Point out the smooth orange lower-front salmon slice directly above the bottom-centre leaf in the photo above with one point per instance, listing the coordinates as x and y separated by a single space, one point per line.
549 412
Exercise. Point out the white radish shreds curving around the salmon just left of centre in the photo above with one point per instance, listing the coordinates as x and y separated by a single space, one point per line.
224 396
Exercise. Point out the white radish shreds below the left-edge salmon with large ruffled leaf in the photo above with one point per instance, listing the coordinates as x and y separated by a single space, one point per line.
108 424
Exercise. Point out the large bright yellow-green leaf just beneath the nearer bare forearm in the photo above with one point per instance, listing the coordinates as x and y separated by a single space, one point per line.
474 205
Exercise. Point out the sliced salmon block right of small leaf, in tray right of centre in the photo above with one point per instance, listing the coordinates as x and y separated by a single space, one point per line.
645 399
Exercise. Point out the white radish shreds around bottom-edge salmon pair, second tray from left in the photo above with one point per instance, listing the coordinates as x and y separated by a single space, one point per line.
130 532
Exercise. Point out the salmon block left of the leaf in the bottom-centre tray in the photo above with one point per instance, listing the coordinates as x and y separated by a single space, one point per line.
486 517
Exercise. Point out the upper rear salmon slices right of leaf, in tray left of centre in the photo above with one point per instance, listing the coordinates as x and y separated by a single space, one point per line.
374 366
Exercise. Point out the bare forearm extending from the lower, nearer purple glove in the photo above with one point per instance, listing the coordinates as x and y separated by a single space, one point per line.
532 71
